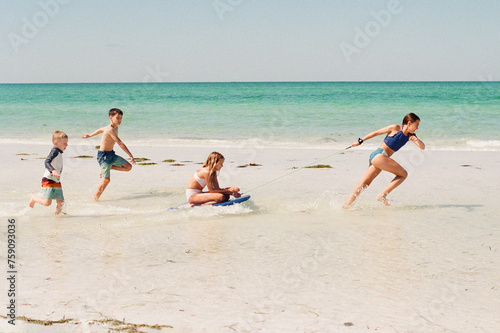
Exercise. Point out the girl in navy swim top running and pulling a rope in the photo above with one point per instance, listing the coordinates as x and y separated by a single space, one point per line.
380 159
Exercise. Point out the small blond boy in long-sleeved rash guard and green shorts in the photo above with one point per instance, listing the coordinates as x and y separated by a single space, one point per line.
51 181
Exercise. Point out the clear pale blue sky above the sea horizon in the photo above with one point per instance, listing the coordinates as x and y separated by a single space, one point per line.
248 40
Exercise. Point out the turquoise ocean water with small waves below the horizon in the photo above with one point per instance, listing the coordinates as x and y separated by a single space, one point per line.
455 115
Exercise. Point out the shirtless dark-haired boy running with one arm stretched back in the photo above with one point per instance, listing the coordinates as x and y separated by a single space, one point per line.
106 156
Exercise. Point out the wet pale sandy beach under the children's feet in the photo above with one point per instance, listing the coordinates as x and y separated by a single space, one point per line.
290 260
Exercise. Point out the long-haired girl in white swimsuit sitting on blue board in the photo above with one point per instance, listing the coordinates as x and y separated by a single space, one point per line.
207 176
